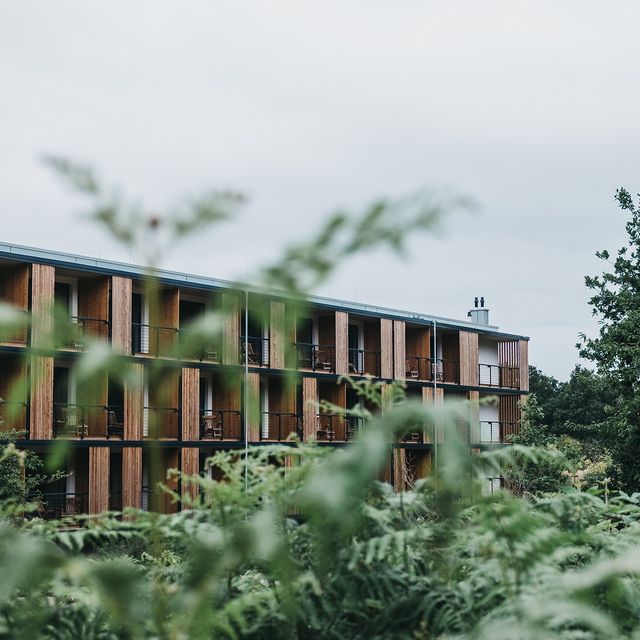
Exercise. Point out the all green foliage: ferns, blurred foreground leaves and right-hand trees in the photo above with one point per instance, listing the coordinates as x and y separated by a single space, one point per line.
300 542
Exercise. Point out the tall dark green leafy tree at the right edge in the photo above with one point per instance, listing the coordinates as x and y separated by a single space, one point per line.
616 349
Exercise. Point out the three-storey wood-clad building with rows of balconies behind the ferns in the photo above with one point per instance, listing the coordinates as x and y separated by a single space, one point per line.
199 407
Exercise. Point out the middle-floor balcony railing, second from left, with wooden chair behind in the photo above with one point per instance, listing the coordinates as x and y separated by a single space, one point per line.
87 420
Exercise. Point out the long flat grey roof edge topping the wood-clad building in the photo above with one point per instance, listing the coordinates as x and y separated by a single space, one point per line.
177 278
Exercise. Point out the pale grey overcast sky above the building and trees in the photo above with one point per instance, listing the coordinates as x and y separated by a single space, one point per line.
529 107
